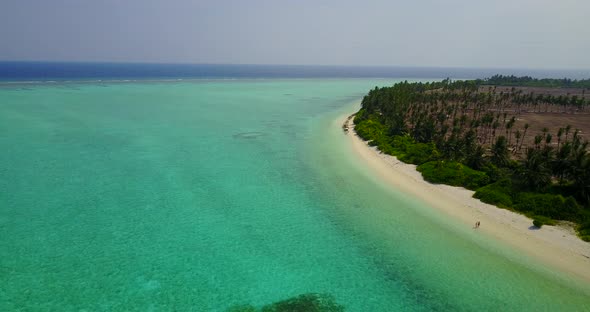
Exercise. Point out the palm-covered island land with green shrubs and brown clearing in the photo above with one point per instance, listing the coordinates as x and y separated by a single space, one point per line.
518 142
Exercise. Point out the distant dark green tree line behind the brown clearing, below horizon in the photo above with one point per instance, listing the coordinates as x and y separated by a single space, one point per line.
499 80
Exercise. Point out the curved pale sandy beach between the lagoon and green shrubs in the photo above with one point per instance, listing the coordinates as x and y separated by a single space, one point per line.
557 246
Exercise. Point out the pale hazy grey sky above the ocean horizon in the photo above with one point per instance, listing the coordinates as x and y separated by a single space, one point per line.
463 33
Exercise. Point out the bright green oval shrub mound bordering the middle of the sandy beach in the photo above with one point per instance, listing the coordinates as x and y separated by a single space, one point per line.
453 173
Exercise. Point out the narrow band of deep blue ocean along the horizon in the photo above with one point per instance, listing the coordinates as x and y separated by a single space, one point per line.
59 71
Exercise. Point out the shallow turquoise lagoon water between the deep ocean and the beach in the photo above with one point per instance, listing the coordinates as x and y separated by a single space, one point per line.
204 194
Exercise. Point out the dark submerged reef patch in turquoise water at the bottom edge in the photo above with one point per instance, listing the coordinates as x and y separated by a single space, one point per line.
301 303
